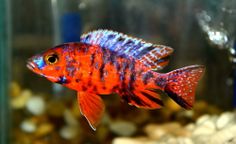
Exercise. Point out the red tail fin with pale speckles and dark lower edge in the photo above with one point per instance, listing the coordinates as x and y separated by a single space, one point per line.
181 84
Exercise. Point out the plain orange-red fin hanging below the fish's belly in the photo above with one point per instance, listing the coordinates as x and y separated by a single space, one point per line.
92 107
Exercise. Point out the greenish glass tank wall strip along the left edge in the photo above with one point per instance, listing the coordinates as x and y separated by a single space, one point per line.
5 62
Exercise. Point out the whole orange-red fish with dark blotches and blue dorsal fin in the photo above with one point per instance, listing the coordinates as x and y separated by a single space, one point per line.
106 62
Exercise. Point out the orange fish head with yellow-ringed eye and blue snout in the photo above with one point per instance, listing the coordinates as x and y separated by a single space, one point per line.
50 64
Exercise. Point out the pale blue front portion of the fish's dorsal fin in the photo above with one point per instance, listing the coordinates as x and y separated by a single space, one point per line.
118 42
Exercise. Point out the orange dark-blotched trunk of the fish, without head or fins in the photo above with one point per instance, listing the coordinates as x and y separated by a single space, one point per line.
101 72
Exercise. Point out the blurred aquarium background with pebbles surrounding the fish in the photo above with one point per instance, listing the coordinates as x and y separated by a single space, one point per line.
33 110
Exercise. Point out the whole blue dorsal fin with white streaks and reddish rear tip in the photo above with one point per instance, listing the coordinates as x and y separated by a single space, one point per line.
154 56
